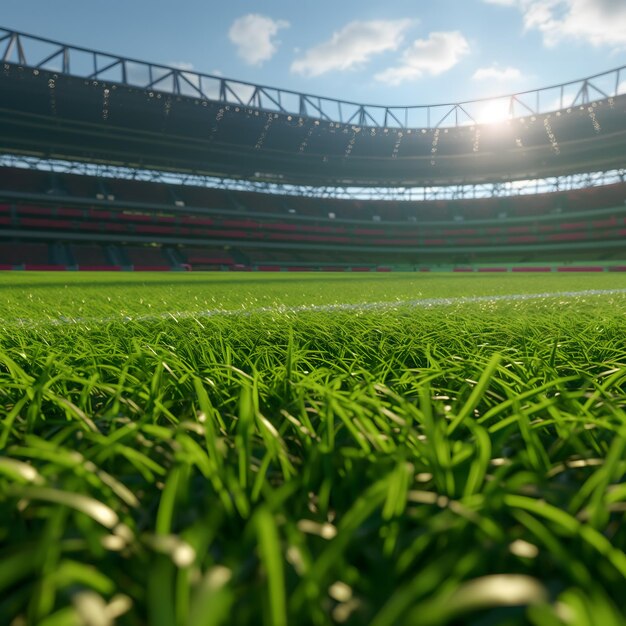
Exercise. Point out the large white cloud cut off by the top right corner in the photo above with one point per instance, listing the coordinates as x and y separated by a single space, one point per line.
598 22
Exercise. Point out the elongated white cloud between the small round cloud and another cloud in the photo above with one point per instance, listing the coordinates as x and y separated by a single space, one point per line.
351 46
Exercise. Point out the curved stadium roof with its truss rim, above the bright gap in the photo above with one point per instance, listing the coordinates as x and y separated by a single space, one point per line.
62 102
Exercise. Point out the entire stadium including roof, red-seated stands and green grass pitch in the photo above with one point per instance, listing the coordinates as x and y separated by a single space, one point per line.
297 444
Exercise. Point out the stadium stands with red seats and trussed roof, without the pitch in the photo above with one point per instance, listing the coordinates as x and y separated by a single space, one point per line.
112 163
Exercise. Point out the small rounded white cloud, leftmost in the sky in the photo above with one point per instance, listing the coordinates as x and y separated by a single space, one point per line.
255 37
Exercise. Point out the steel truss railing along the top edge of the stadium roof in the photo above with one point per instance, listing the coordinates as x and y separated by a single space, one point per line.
37 52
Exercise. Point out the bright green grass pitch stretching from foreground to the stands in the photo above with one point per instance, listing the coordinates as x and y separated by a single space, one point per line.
195 450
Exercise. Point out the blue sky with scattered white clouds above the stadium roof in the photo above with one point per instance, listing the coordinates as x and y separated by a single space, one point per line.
398 53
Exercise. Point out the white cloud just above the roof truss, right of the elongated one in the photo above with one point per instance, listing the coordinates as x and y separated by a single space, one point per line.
435 55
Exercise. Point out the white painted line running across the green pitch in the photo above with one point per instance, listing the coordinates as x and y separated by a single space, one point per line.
424 303
